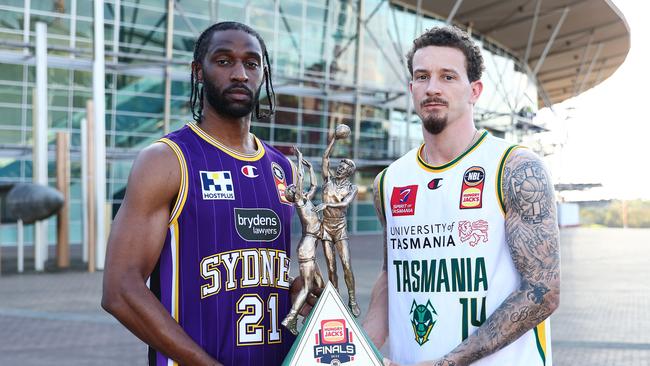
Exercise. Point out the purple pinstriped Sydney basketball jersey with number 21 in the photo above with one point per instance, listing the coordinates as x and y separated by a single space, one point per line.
223 273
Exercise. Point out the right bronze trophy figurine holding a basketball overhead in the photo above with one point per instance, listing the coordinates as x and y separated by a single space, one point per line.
338 193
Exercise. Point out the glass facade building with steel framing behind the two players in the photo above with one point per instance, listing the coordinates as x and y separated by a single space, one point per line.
333 61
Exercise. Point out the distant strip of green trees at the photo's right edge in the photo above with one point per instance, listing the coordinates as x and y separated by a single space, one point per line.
611 214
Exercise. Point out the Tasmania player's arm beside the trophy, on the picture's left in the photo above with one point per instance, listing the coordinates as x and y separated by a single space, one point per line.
376 322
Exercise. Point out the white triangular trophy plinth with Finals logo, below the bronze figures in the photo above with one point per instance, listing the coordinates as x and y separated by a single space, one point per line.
332 336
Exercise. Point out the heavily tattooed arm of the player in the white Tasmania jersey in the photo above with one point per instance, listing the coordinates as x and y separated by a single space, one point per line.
533 238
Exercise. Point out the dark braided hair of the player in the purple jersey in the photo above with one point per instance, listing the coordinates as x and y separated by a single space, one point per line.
200 49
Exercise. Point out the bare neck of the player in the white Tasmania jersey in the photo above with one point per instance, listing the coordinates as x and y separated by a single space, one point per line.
450 143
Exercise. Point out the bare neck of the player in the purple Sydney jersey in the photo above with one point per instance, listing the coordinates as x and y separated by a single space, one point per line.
232 132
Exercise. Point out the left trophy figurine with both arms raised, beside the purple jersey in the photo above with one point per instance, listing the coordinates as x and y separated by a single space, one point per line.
311 227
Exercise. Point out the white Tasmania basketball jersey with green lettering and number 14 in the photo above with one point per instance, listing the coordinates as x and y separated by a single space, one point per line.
448 263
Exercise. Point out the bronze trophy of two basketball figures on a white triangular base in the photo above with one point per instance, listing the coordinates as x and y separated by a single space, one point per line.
331 334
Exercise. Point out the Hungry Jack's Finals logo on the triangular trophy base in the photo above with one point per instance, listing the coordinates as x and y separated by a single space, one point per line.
334 344
